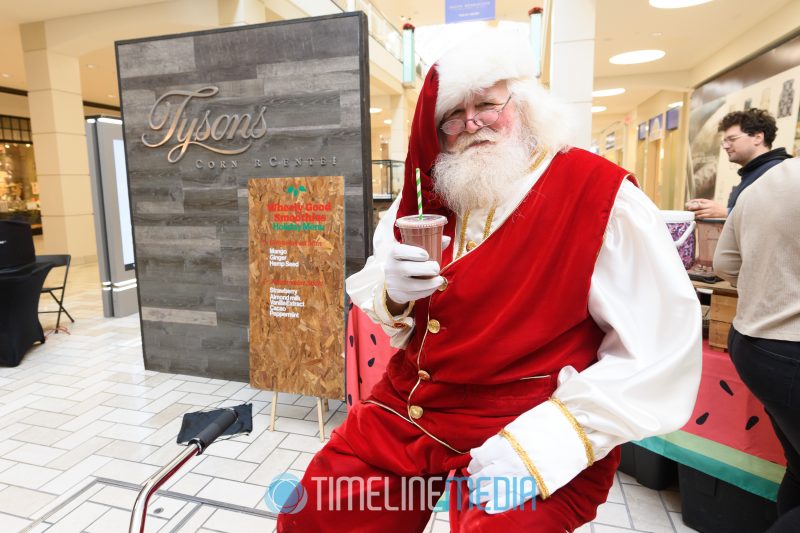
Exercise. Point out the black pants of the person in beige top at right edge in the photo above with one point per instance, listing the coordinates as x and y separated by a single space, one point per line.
771 370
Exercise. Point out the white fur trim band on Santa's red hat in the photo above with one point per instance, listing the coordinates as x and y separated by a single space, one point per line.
480 62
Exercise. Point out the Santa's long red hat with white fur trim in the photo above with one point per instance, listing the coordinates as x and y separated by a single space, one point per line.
475 65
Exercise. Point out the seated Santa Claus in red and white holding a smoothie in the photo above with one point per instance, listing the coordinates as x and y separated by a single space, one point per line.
559 324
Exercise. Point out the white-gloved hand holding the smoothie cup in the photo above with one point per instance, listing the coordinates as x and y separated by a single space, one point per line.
409 274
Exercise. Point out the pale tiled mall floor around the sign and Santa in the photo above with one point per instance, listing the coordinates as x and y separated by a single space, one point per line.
82 423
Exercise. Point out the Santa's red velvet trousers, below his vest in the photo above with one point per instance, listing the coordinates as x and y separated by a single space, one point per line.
359 482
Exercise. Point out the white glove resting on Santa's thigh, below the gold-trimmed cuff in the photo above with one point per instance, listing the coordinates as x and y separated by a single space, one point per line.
498 477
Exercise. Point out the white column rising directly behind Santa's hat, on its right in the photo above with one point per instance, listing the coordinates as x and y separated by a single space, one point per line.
571 73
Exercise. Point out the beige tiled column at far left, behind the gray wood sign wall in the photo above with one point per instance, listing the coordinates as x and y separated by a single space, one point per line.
59 145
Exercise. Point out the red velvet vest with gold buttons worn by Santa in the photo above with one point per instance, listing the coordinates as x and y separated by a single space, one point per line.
514 311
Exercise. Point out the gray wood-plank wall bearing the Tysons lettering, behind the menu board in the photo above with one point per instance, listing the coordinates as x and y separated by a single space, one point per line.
190 217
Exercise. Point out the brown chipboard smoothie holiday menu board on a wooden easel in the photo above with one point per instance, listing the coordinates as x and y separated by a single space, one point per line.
296 273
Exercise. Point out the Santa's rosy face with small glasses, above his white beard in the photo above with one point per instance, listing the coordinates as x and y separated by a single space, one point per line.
474 136
